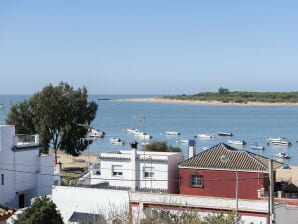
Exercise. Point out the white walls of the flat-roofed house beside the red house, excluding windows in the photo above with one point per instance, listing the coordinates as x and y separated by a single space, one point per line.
164 166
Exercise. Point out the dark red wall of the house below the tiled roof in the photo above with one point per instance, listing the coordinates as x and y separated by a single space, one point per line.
219 183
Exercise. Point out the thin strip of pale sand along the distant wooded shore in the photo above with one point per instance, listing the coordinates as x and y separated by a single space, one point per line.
196 102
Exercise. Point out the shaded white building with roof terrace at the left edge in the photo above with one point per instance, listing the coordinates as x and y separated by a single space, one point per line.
24 172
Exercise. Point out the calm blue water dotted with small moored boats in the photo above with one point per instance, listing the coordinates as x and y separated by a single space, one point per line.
249 123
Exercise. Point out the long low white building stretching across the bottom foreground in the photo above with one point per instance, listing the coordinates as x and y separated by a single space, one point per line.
119 204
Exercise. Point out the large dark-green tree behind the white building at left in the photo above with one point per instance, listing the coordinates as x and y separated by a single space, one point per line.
59 114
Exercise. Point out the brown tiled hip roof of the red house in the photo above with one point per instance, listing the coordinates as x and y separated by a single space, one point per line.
240 159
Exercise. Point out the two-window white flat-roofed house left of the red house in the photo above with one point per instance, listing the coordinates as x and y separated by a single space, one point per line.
137 170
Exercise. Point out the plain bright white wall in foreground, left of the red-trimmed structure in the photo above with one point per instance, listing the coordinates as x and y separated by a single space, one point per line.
89 200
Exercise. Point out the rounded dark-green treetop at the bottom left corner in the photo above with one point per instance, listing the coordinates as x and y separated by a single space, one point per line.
42 211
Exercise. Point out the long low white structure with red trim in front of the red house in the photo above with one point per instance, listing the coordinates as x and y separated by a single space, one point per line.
143 204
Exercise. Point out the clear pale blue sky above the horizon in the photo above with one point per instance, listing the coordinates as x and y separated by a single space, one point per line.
149 47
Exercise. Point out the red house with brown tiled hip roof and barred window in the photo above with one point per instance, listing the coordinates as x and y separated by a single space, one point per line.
216 171
